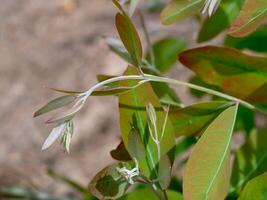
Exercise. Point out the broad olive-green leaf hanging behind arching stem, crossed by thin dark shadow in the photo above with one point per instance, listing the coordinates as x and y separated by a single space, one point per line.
133 114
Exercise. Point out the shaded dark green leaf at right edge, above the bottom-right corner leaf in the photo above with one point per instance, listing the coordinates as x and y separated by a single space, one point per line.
250 160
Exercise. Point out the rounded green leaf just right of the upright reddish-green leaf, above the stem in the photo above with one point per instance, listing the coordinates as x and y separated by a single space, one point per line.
166 51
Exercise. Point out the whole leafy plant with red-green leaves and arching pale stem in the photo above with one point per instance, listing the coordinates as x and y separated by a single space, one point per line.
157 128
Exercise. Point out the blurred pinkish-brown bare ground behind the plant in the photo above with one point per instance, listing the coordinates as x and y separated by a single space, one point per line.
58 44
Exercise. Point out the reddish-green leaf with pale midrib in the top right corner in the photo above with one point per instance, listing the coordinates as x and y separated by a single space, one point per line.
252 14
